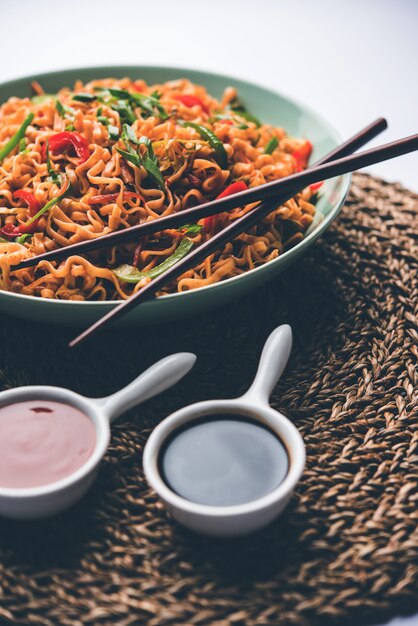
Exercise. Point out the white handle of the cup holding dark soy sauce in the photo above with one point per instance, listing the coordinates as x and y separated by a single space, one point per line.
273 360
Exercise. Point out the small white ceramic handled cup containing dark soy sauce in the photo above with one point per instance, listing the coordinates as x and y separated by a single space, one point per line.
240 519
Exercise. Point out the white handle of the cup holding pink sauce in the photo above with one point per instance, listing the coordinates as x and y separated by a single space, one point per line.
154 380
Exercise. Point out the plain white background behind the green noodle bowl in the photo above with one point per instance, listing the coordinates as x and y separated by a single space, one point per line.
350 60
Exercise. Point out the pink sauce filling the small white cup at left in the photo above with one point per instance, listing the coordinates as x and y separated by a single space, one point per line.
42 442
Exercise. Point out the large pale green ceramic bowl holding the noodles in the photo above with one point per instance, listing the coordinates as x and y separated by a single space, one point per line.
269 106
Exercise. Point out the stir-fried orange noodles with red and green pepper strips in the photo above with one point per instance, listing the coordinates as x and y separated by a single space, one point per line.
112 154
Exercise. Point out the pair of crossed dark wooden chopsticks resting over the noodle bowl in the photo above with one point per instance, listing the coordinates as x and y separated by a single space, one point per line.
271 194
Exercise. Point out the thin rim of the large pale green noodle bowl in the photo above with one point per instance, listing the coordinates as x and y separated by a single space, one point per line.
322 225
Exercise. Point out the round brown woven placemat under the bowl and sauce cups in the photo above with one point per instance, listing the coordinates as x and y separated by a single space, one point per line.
346 549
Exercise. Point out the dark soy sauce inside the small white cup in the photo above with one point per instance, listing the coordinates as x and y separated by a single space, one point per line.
223 460
